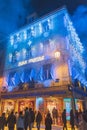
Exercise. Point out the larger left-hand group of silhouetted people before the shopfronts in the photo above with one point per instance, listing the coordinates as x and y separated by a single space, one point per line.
25 120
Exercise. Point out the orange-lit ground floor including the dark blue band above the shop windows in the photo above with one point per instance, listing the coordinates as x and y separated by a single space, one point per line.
45 100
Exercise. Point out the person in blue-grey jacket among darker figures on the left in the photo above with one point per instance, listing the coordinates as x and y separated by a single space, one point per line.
20 121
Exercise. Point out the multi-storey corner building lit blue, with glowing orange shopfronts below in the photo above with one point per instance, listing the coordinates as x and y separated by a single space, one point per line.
42 60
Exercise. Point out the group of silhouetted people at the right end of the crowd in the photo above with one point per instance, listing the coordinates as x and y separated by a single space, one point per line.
78 119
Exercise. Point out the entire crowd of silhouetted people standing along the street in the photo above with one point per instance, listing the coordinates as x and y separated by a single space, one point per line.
26 120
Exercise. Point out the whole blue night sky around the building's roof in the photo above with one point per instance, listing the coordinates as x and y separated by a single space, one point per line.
13 15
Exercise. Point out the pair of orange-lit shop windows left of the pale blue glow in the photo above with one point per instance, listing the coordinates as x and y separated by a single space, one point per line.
17 105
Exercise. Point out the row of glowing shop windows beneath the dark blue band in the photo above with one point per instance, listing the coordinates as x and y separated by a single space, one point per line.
44 104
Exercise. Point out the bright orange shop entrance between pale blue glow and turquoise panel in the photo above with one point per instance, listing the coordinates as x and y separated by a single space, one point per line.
55 106
